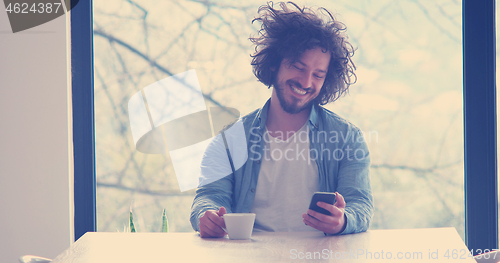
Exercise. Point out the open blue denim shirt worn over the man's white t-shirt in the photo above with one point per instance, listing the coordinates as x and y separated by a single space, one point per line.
341 155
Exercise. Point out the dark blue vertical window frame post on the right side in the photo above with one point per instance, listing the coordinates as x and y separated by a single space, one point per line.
480 127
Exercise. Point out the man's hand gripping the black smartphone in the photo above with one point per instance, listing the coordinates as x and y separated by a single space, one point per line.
330 224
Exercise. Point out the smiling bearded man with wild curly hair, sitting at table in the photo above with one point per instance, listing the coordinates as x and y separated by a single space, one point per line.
306 58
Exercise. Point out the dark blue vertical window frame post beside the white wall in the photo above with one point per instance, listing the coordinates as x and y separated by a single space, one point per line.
82 88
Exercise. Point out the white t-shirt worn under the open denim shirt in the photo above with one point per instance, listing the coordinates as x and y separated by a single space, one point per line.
287 180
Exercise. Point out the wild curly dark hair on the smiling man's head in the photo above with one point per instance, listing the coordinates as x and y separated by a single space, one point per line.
288 32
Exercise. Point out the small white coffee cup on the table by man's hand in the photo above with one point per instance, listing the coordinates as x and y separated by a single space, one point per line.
239 225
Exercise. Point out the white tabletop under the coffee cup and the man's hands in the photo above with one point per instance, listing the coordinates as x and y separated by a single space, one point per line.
408 245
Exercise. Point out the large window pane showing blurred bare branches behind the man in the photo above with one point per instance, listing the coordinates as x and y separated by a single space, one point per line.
407 100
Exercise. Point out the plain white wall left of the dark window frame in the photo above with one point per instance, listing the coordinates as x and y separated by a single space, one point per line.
34 177
